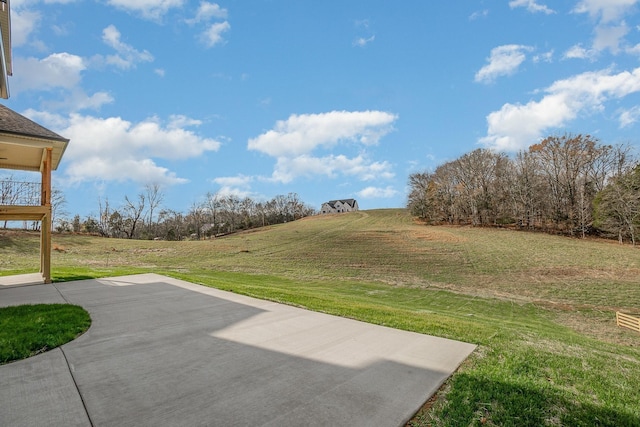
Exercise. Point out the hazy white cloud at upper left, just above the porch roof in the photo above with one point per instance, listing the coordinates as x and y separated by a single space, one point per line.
58 70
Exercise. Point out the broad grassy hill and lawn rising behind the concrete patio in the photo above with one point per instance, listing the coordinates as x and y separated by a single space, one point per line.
541 308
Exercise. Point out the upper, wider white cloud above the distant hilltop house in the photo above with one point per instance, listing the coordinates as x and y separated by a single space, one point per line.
301 134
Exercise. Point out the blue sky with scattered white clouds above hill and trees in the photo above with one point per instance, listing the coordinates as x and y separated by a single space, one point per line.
329 99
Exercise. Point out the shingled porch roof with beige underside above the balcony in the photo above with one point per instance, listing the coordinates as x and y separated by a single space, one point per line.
23 141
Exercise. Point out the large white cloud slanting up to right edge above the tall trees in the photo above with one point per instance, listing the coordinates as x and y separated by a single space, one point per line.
516 126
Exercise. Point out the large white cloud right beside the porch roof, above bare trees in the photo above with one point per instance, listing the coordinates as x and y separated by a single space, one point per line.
113 149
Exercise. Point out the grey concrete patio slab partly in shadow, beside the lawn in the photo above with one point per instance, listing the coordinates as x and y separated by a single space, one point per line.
162 351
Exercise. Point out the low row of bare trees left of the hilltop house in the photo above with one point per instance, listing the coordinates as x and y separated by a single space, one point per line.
143 217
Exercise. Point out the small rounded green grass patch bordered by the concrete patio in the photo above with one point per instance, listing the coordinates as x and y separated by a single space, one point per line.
27 330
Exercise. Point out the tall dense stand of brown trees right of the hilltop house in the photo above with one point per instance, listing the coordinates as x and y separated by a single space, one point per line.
569 184
